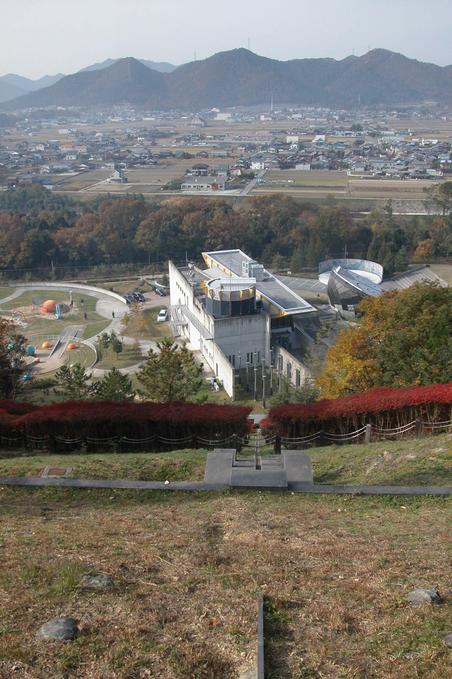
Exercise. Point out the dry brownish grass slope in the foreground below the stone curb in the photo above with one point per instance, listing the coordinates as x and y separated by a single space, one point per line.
187 572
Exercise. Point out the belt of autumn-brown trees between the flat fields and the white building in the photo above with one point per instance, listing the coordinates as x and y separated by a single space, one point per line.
40 229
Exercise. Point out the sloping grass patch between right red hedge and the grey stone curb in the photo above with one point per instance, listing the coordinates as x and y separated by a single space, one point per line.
422 461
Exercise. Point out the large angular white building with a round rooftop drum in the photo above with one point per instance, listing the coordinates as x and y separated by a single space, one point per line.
233 311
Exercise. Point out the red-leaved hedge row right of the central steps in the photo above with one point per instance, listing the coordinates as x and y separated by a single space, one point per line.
384 407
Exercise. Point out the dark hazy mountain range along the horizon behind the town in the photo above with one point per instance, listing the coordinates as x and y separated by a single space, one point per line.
241 78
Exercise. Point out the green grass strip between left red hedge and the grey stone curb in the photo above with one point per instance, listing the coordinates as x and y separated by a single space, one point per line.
181 465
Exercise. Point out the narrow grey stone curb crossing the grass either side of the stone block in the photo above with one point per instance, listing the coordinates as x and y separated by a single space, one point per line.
202 486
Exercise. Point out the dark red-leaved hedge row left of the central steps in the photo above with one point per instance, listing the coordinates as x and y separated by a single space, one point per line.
103 419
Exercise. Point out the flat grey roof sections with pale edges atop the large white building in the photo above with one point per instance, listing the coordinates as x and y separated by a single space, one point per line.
271 289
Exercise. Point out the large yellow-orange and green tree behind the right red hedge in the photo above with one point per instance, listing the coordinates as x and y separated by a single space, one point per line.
404 338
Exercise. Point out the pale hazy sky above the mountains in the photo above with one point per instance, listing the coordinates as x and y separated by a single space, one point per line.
40 37
